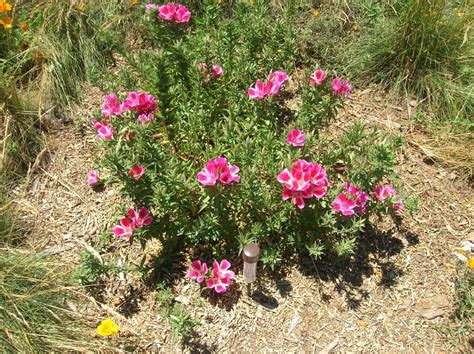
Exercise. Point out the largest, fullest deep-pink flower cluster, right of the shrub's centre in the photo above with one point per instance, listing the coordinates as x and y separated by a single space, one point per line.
305 180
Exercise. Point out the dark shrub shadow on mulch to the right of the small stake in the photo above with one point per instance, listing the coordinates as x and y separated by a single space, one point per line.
374 247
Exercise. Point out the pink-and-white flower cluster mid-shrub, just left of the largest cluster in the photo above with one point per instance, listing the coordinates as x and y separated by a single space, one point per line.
218 170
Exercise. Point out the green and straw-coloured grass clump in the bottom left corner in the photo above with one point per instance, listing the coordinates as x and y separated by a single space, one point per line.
34 316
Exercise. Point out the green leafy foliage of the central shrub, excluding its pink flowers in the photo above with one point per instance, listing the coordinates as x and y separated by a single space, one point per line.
203 118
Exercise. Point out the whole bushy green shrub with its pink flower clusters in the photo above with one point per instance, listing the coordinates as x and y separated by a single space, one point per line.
170 160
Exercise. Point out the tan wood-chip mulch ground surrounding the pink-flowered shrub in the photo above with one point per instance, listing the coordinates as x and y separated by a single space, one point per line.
395 294
